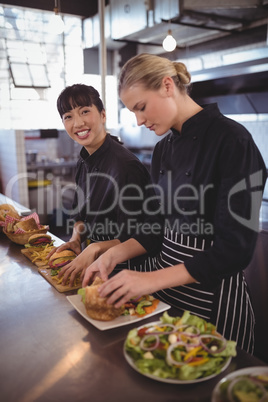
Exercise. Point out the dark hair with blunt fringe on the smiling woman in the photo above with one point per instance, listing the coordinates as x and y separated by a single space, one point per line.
78 95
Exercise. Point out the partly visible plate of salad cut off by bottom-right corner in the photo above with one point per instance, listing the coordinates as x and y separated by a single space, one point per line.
248 384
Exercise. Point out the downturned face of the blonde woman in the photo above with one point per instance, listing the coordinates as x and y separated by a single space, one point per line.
156 110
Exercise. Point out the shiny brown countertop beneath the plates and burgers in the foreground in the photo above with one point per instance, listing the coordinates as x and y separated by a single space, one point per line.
51 353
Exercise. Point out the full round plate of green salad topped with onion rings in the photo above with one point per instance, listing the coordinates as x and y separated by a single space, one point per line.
178 350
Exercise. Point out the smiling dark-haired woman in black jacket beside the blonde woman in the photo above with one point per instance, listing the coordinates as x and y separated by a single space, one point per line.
112 186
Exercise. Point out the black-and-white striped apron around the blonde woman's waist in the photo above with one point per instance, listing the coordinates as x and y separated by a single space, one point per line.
228 306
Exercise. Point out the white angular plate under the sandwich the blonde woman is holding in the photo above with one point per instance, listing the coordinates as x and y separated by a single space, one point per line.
77 303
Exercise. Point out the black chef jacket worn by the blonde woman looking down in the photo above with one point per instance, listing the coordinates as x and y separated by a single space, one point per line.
210 179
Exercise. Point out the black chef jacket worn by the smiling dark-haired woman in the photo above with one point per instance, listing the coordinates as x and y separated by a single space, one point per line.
112 192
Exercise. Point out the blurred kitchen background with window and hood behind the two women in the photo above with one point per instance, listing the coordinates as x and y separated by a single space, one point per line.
224 46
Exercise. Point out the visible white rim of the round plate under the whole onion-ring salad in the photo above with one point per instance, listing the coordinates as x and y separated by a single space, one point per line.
171 380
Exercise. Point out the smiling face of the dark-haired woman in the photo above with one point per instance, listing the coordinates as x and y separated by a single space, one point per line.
86 125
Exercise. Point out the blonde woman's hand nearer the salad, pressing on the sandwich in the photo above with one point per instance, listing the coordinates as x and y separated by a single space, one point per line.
126 285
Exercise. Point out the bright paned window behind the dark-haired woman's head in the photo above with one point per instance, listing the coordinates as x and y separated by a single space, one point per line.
35 65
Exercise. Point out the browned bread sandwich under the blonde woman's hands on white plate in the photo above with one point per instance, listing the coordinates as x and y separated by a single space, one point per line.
96 306
